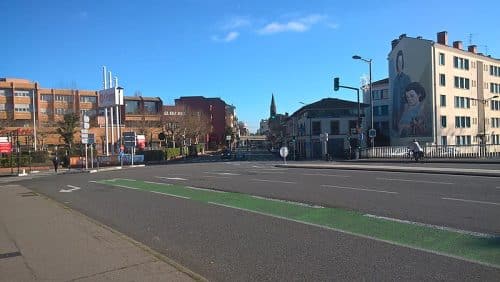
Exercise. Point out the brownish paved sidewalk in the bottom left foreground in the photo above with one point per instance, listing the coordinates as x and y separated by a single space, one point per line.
41 240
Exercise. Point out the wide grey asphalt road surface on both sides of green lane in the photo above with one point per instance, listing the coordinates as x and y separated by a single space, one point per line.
225 244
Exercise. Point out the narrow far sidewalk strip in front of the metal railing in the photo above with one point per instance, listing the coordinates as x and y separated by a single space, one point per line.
393 168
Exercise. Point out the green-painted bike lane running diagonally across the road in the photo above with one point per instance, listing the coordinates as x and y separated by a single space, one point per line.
483 250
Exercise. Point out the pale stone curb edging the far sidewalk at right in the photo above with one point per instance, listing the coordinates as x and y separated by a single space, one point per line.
469 172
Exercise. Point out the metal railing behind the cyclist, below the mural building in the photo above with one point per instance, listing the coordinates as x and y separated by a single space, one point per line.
437 151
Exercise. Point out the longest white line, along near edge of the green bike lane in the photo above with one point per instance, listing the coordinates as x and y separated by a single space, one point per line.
360 235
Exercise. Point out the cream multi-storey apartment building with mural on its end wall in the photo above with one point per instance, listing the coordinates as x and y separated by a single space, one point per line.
443 94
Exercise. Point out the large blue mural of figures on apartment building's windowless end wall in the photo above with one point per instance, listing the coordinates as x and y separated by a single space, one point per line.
410 81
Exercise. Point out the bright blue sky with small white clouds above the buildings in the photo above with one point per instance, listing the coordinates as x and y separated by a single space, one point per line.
240 51
